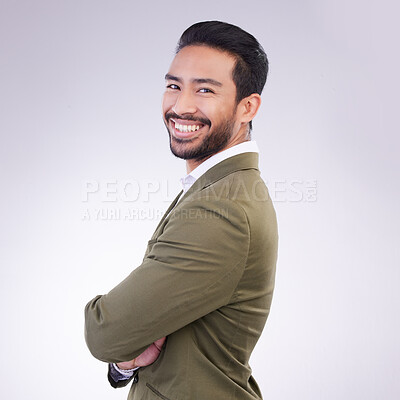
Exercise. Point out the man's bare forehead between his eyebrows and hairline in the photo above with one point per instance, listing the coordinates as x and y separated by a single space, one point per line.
203 62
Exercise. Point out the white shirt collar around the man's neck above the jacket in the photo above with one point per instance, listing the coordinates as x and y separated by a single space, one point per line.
244 147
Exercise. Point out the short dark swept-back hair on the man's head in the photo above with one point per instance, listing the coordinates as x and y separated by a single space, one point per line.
251 68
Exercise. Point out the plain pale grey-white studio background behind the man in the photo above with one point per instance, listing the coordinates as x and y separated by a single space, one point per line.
80 101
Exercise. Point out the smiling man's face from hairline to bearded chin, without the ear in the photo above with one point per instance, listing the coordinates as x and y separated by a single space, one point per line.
199 106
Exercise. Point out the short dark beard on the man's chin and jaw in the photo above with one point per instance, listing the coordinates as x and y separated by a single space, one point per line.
216 141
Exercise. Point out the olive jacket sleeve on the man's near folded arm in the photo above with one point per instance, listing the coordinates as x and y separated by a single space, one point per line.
191 269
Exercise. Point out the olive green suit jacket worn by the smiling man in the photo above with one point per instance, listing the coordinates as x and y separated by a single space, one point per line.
206 282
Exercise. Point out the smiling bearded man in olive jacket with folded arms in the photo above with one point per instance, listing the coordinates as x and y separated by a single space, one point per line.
190 315
